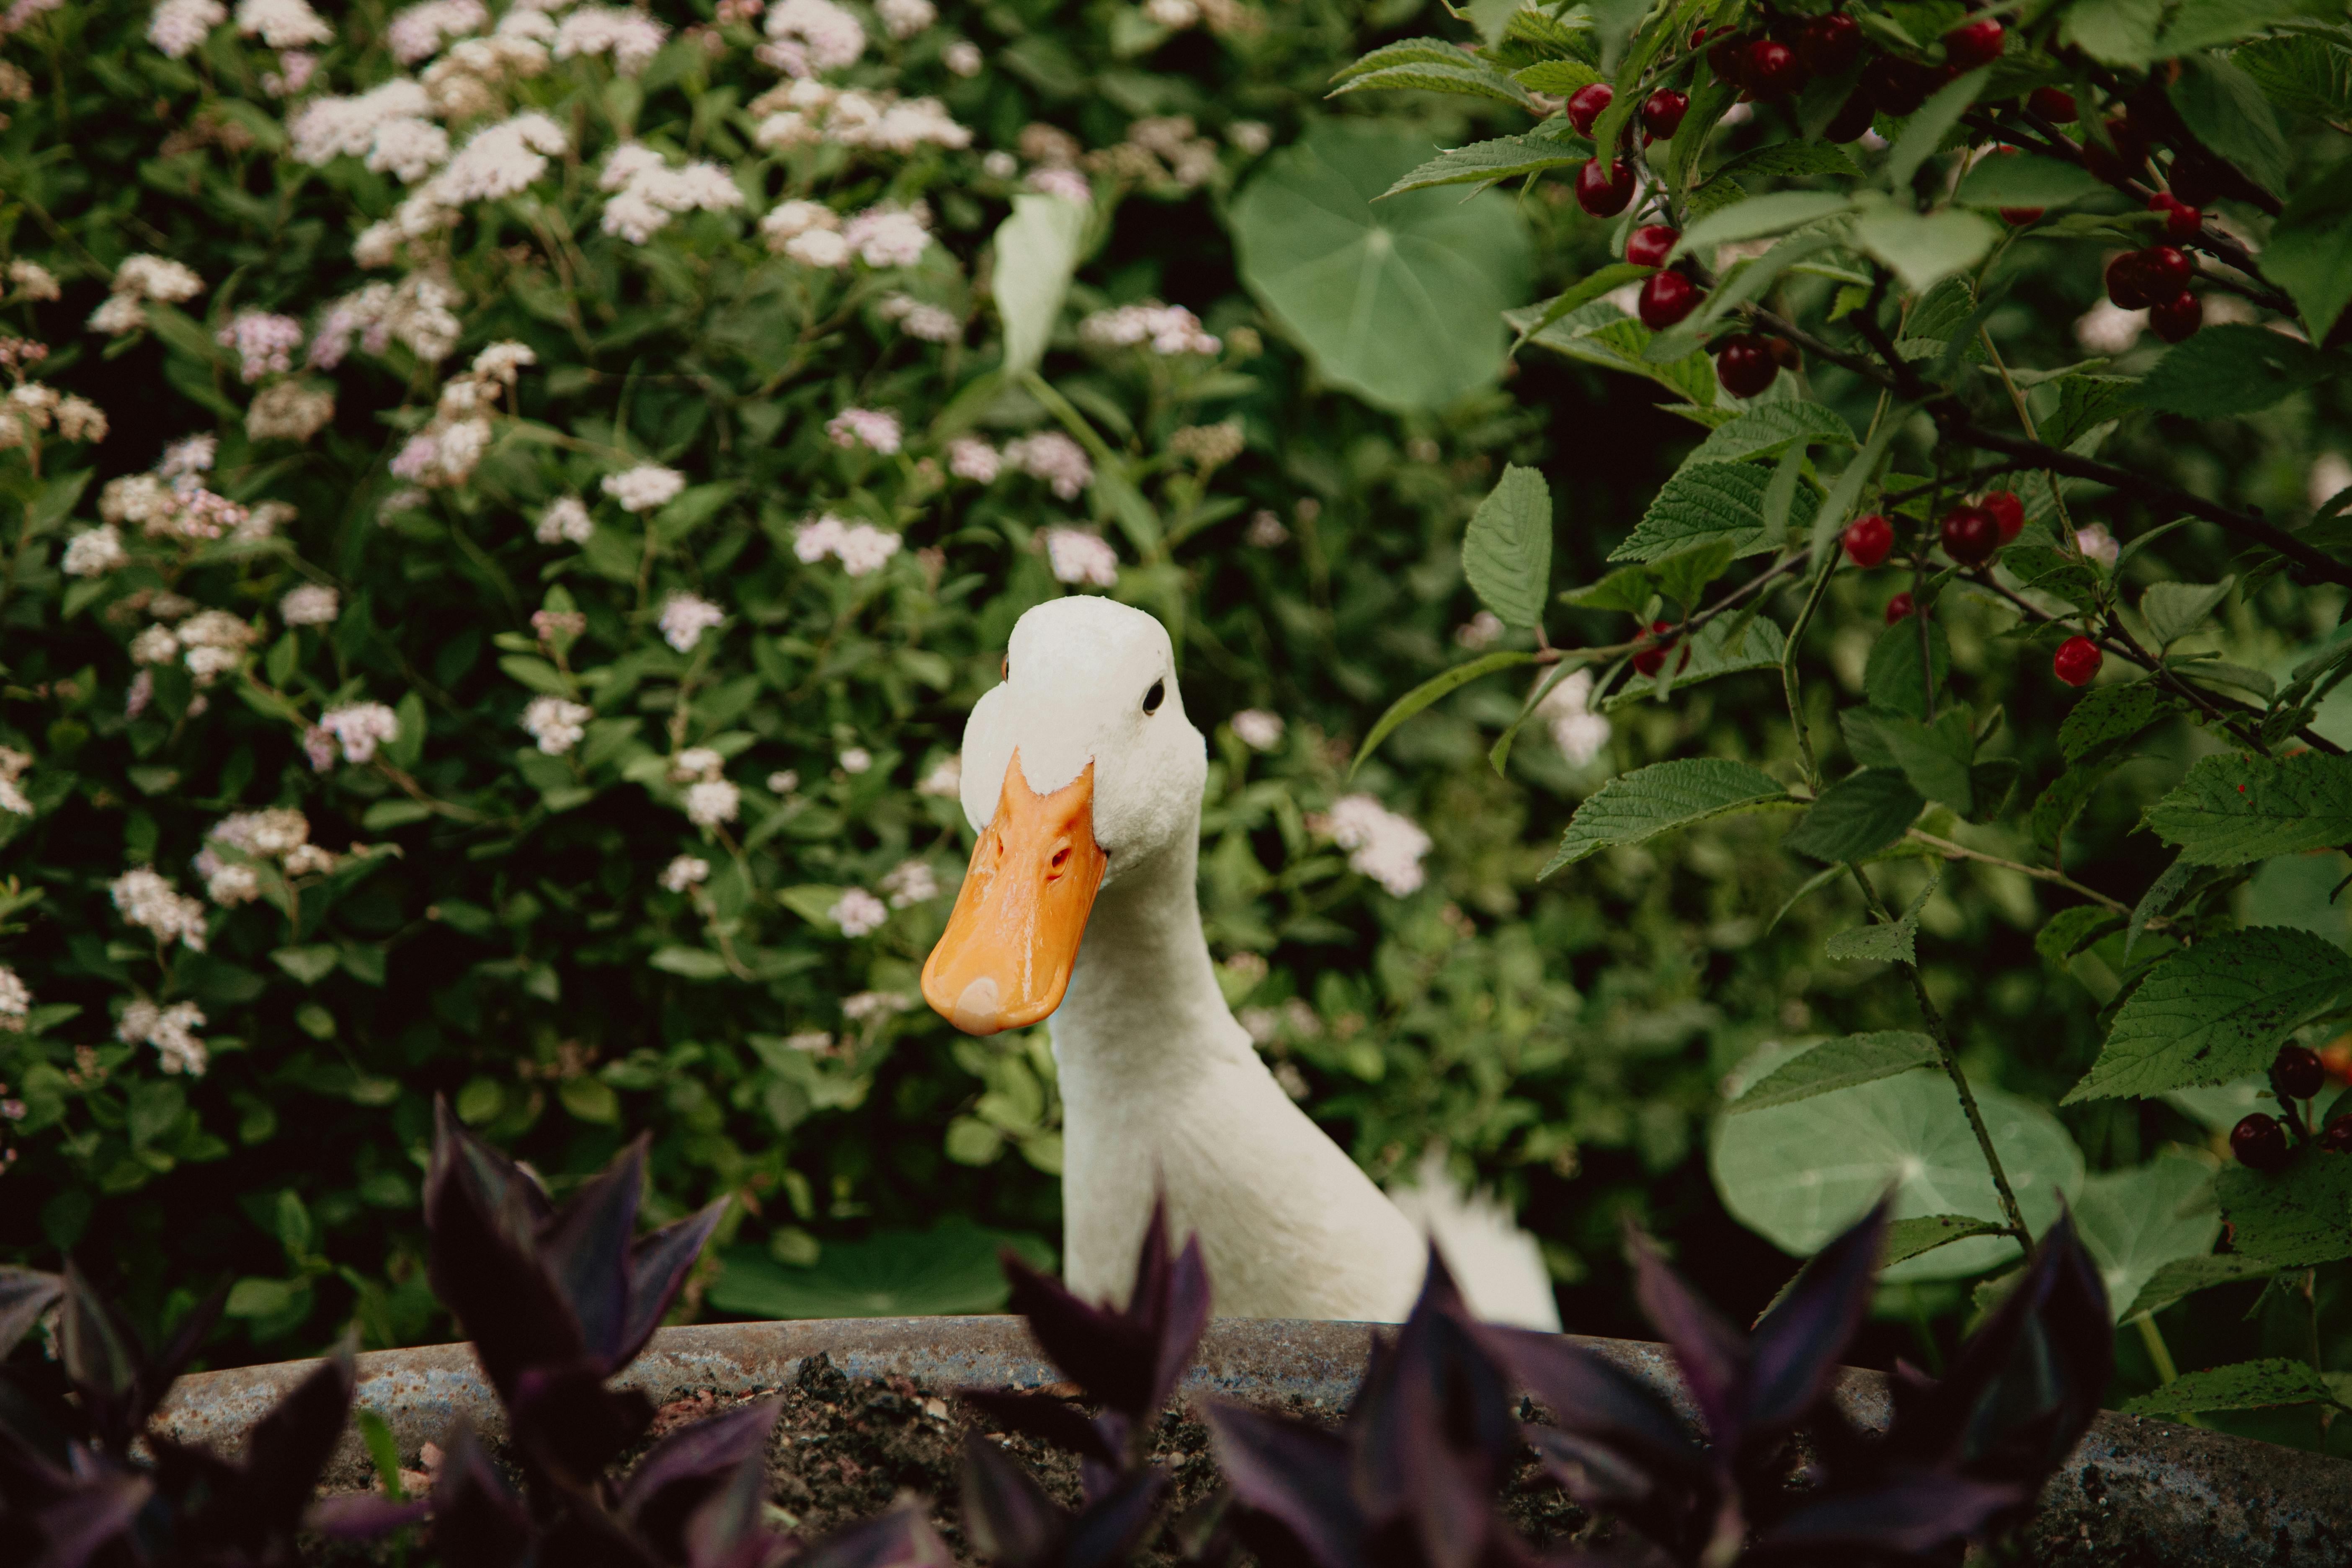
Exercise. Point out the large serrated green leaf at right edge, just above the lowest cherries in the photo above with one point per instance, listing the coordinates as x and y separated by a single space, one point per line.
2217 1012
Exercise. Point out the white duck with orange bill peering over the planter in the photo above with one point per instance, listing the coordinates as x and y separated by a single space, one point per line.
1083 779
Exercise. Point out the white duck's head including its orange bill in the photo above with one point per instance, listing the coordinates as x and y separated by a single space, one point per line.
1078 768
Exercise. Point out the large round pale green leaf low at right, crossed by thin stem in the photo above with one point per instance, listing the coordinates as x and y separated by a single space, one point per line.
1800 1174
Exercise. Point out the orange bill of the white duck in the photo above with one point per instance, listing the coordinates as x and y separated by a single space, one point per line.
1015 932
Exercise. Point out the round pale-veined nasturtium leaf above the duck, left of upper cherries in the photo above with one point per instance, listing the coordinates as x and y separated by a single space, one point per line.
1398 302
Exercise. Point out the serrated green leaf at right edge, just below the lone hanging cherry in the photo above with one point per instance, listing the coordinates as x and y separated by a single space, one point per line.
2233 810
